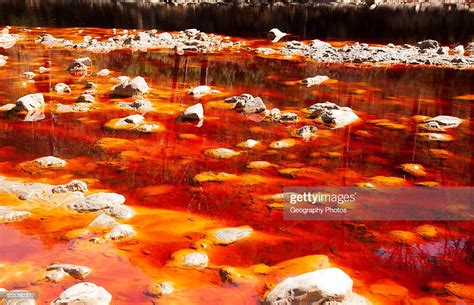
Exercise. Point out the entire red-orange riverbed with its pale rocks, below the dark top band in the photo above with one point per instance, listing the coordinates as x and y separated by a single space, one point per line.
142 167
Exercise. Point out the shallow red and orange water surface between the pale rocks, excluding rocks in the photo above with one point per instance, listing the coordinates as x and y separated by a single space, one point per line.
155 171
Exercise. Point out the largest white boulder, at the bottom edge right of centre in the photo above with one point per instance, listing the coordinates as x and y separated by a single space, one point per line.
315 287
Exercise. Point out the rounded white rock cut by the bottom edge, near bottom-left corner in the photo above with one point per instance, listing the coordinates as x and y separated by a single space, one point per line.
83 294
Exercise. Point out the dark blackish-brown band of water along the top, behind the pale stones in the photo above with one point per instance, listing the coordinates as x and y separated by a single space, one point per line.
305 21
